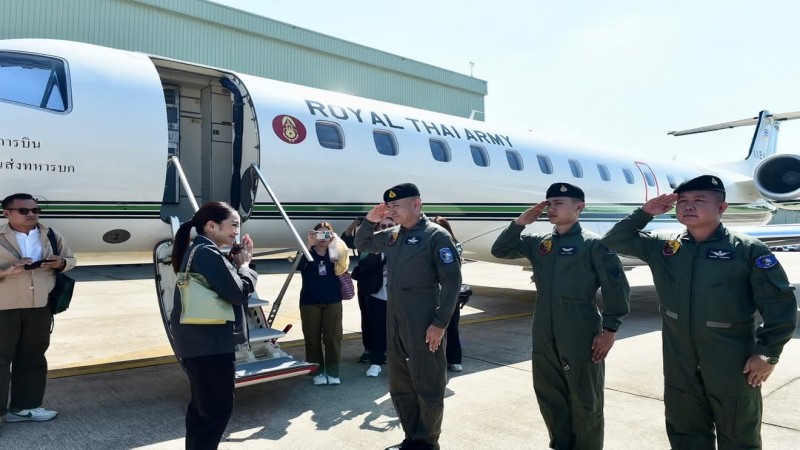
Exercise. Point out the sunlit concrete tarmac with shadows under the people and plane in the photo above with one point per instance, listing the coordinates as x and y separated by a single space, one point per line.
115 383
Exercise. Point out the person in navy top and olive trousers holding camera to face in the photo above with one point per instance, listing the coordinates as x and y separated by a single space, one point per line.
321 301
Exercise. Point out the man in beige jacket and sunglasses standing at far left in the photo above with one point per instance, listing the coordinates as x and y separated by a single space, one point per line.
28 265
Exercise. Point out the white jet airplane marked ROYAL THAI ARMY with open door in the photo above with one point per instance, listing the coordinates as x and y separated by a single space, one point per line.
121 146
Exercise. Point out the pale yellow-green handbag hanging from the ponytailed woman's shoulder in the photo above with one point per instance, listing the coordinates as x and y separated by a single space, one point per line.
201 305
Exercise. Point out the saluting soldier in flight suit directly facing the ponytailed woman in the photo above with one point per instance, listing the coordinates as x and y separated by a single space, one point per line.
424 279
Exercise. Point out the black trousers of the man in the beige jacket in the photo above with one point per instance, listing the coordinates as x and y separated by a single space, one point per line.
24 338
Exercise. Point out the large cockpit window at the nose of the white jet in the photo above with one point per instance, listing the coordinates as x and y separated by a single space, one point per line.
34 80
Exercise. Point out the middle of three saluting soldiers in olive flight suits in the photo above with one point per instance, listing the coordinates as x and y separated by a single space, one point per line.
571 336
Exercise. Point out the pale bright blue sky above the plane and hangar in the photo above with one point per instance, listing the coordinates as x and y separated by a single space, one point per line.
615 74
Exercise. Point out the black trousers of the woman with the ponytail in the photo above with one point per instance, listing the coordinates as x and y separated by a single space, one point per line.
211 379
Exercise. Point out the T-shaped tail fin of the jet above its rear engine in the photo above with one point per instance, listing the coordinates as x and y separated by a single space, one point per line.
765 137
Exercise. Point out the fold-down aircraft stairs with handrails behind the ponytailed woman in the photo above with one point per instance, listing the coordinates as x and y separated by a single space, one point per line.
261 359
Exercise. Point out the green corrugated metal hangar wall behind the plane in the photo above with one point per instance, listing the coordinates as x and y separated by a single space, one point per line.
208 33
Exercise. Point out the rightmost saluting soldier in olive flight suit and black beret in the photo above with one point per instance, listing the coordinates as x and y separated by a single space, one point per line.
710 282
